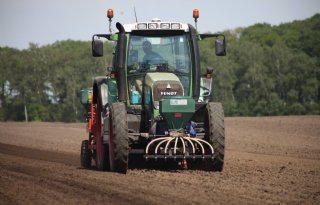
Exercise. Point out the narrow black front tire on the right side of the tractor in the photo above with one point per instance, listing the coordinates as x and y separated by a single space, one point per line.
216 135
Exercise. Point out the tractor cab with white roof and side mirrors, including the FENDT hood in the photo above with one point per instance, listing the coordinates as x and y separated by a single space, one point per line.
157 59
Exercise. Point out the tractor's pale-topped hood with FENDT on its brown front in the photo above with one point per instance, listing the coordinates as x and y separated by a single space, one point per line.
163 84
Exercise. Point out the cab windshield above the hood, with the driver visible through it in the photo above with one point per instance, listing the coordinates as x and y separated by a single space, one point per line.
160 54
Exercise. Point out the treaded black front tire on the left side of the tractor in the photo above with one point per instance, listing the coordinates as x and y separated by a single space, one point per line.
119 140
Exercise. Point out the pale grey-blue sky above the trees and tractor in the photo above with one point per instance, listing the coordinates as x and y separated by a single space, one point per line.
47 21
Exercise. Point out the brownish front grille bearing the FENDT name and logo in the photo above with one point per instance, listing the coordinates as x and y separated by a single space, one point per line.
166 88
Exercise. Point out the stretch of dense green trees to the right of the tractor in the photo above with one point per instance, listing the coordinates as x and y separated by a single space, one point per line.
268 70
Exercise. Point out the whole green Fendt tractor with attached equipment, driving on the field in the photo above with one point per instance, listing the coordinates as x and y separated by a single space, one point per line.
154 104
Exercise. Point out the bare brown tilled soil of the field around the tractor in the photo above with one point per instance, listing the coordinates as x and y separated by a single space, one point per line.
269 160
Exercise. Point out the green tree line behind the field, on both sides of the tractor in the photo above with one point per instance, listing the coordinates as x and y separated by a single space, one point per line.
268 70
